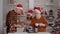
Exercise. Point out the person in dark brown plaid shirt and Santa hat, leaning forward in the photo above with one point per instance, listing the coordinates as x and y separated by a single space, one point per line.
11 17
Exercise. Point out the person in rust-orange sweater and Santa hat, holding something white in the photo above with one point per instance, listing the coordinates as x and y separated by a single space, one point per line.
38 22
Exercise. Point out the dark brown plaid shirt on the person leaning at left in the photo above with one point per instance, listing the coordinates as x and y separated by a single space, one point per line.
11 18
